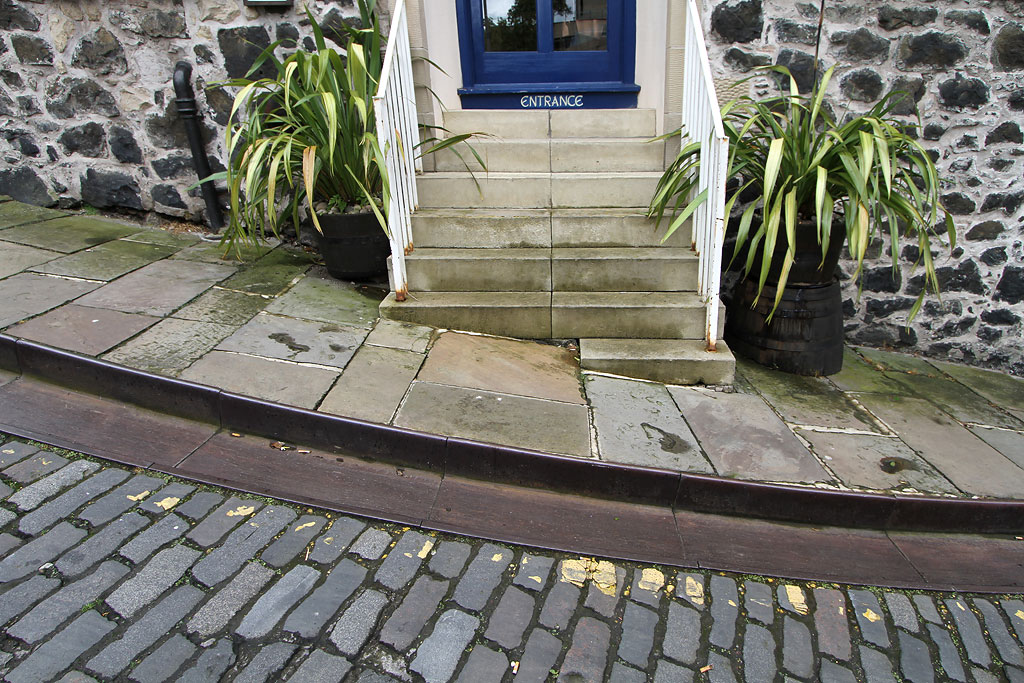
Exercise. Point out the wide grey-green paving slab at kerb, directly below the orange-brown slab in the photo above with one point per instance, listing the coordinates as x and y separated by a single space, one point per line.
529 423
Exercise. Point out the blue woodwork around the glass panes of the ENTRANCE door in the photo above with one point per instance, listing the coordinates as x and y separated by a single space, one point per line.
546 78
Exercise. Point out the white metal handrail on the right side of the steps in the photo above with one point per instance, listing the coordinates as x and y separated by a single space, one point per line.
703 122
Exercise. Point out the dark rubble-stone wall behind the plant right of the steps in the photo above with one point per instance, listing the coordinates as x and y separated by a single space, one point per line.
964 64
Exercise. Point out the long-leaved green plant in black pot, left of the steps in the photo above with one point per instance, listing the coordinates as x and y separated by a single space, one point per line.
308 145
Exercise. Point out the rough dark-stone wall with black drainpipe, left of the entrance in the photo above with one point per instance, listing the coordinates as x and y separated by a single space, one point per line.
88 111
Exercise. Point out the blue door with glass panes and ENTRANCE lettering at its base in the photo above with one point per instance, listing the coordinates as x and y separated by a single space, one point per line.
547 54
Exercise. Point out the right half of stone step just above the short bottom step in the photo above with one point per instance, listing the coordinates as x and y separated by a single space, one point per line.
627 316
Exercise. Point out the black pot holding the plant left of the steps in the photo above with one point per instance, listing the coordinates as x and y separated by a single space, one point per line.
354 246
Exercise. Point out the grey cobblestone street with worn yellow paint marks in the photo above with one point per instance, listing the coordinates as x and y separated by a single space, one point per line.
115 575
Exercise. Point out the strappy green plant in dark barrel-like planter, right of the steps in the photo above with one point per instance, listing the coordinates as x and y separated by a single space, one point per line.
813 185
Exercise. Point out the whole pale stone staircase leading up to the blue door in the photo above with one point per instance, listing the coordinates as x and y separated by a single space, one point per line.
552 242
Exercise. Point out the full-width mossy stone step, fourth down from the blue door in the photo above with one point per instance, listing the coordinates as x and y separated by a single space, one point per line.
489 229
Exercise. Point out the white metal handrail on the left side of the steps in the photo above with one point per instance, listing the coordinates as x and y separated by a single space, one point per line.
398 134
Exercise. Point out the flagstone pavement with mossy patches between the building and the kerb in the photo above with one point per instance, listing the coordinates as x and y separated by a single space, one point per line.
275 326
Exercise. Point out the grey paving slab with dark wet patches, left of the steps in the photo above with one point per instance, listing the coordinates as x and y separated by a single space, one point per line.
295 339
